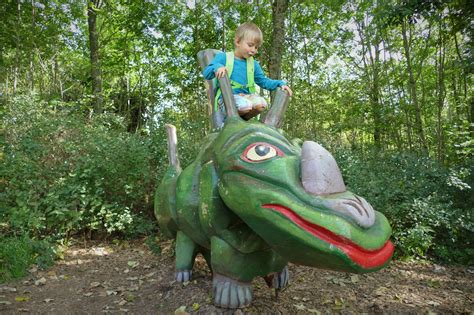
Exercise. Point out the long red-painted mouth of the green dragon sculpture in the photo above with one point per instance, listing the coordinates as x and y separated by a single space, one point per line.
367 259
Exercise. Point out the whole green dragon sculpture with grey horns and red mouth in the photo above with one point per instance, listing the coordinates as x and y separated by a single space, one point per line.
252 201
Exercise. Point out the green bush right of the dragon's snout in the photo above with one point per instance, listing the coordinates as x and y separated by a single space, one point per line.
429 206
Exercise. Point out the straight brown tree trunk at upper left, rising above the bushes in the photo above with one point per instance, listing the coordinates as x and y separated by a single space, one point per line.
92 7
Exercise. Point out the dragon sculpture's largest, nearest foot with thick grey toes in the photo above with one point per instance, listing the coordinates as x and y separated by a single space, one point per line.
230 293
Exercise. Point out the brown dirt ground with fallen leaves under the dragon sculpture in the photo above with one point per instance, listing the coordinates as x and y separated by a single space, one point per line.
129 278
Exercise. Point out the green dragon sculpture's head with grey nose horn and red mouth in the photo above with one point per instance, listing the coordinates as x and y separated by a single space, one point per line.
294 198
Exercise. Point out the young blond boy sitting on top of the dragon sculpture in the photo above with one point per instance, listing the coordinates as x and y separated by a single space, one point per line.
248 39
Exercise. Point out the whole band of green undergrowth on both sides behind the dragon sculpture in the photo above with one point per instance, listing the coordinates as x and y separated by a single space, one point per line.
63 175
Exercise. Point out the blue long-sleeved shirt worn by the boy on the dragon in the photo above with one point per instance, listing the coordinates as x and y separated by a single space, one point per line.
239 73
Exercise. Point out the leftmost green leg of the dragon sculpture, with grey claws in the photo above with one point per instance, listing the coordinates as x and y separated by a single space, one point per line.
185 254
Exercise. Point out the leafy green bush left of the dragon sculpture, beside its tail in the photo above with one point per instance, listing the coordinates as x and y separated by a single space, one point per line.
62 173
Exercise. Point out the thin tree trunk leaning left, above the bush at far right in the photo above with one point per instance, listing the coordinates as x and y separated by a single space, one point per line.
412 89
